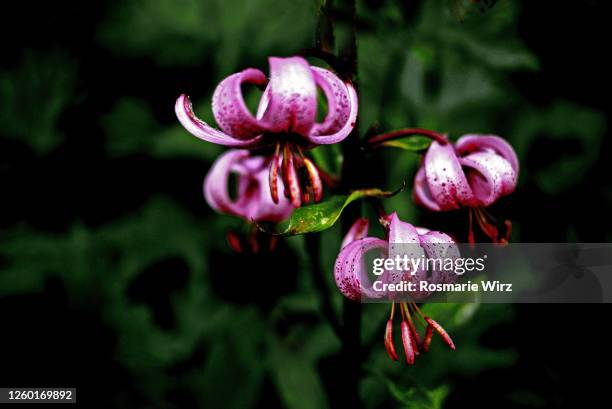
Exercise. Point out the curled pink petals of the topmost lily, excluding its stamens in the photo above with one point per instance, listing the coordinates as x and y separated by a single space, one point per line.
288 106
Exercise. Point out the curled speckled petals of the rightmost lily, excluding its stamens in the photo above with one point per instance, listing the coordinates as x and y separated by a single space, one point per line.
474 172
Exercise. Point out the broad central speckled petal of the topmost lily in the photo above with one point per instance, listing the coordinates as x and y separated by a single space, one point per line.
292 103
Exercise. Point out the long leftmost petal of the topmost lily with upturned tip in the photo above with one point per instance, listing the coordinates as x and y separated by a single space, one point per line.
202 130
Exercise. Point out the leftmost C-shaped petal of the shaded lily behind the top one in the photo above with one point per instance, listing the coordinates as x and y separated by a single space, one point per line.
216 183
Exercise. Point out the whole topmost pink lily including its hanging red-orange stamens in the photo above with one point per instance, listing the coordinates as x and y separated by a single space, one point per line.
285 120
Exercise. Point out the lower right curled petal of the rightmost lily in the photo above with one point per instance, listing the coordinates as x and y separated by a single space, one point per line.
490 176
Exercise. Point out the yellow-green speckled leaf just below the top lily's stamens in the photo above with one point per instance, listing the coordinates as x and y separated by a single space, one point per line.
322 216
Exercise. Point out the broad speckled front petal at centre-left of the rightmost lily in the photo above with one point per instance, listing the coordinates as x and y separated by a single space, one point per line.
445 178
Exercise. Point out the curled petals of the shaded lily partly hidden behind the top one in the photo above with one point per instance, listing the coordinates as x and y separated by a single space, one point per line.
252 201
